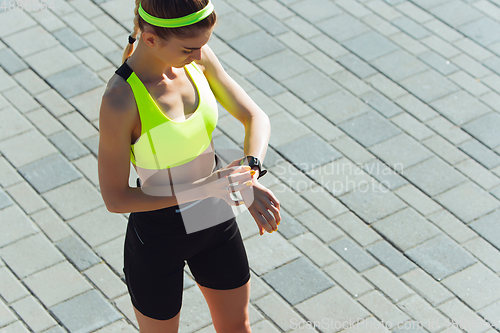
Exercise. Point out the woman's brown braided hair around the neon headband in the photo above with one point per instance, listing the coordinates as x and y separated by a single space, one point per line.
169 9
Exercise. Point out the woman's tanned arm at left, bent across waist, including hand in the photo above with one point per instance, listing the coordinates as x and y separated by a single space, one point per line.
116 122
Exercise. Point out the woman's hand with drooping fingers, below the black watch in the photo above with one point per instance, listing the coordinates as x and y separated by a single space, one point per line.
260 201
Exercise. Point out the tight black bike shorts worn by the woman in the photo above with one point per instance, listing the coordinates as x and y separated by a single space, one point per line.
157 247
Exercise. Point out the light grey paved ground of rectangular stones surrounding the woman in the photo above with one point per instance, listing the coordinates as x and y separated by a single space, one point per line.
389 179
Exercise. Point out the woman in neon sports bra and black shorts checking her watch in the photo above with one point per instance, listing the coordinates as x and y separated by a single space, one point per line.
159 111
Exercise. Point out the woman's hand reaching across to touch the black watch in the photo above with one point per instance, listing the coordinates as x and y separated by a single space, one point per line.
218 183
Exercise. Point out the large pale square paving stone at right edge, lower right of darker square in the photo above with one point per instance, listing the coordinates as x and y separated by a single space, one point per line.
476 285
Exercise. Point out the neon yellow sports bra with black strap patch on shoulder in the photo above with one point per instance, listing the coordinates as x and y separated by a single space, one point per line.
165 143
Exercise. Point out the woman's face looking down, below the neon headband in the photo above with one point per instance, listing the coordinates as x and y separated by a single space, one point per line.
180 52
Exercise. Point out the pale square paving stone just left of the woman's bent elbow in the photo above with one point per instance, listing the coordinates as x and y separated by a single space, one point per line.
74 198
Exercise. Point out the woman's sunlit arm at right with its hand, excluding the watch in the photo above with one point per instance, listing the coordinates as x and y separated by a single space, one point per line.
257 132
